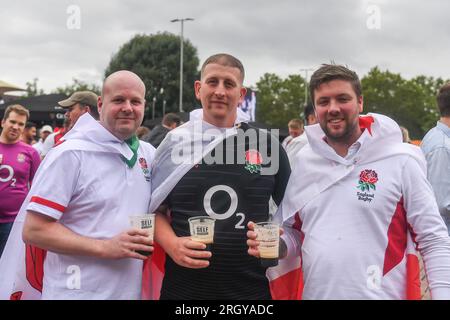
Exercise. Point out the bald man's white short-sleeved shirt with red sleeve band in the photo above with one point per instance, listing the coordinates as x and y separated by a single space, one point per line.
93 194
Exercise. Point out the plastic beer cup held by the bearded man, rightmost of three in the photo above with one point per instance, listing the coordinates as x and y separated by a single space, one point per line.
268 235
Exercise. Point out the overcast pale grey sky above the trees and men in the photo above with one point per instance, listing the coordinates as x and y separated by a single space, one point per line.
410 37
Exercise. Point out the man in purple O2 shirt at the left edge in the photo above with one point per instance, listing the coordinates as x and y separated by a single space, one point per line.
18 164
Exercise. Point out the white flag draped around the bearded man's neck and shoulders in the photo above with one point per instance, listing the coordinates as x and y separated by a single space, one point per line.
309 178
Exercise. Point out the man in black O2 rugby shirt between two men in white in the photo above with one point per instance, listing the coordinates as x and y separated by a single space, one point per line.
249 168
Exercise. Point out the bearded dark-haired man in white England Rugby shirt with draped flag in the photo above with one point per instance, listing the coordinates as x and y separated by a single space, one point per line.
361 203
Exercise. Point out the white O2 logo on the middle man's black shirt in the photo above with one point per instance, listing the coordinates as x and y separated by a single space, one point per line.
231 210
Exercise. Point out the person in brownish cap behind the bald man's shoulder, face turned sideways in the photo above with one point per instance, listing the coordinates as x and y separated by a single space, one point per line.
76 105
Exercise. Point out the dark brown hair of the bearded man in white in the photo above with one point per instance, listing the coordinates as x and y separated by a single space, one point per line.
330 72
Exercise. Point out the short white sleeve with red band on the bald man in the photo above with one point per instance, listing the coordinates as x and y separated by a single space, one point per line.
55 183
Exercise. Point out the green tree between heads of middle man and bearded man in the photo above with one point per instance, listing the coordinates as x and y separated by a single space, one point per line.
279 100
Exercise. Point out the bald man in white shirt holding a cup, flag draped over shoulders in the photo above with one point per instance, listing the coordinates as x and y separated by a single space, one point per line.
92 252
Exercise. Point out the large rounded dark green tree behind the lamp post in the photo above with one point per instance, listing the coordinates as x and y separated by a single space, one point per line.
156 59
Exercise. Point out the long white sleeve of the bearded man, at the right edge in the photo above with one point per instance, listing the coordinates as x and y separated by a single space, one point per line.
427 227
